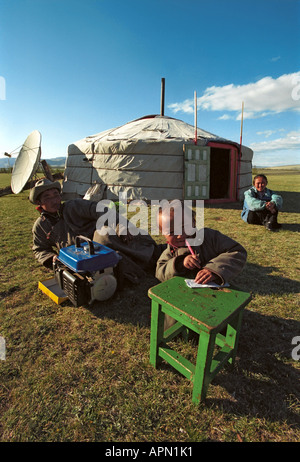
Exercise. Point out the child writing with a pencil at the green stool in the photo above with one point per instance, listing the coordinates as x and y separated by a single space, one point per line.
217 259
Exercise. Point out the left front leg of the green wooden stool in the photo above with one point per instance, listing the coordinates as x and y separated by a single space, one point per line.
157 332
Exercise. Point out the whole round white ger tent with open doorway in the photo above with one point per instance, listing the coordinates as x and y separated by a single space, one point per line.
156 157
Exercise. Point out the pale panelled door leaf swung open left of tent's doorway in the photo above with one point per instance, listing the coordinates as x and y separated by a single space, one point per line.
197 172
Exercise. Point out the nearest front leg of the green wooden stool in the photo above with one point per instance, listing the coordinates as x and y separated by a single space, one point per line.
203 365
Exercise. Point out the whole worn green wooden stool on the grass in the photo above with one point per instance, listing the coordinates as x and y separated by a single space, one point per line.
205 311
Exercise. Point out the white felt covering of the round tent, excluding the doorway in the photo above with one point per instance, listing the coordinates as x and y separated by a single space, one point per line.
143 158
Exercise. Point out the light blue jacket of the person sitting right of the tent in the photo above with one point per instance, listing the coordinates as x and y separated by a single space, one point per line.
255 203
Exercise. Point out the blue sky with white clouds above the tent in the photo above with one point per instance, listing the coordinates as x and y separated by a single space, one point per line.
71 69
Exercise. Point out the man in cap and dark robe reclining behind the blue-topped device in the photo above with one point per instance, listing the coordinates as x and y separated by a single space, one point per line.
59 224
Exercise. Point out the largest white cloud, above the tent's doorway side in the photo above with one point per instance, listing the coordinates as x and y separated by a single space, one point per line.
261 98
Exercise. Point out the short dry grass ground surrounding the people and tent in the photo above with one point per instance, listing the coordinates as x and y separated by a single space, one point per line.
83 374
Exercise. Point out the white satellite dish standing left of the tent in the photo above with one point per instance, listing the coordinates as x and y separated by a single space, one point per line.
27 162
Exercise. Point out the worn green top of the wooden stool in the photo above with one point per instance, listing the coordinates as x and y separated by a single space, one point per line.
202 306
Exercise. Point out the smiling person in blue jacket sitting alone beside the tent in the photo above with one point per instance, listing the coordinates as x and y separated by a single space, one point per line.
261 205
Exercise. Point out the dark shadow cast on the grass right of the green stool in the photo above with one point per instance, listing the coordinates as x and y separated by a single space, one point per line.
262 383
